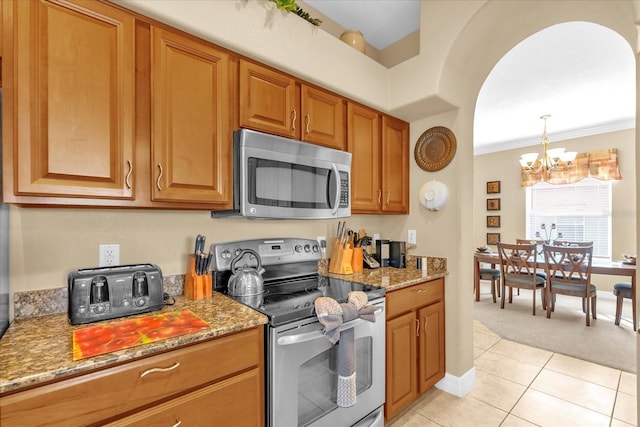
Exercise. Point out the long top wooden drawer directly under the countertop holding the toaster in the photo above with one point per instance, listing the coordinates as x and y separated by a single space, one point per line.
103 394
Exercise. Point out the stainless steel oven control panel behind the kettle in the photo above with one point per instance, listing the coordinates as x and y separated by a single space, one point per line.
271 251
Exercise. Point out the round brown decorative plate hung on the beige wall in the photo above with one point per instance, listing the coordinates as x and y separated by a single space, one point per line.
435 149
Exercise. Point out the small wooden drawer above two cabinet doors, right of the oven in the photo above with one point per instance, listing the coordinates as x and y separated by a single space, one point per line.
414 297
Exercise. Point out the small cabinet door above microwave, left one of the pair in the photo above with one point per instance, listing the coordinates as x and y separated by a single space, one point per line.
267 100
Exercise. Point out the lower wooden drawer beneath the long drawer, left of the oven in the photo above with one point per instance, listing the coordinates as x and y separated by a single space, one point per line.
236 401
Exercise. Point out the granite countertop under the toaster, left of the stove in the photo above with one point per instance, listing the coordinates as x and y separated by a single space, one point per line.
39 349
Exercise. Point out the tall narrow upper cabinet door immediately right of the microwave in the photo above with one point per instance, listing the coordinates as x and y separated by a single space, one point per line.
363 142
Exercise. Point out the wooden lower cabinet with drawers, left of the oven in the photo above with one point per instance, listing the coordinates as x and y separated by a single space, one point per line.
216 382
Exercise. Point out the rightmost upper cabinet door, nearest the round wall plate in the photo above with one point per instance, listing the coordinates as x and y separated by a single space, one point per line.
395 165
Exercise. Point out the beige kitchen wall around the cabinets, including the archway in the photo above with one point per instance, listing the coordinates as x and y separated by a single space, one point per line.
459 45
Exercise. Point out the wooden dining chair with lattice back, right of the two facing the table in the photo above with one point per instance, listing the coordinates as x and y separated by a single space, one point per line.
568 271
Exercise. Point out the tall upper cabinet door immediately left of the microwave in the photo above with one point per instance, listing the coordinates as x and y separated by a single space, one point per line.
191 139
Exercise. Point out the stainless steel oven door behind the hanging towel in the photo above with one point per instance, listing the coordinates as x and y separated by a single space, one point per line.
302 373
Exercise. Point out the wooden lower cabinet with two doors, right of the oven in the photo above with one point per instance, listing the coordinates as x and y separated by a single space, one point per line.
415 343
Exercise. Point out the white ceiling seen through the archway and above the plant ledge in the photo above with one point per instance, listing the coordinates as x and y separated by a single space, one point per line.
581 74
